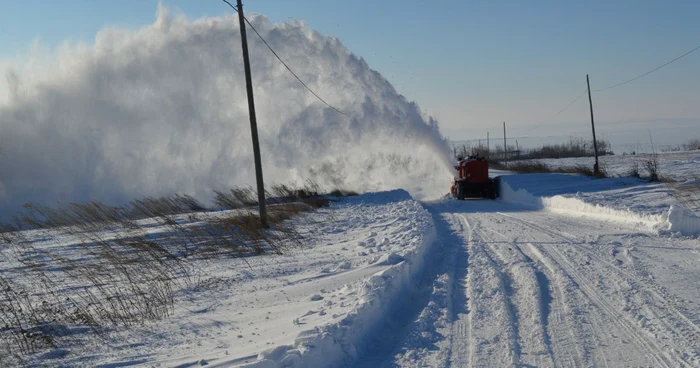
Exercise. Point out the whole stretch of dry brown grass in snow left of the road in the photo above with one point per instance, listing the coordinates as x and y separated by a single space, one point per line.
119 271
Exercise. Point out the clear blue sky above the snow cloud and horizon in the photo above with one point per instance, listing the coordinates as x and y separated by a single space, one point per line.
471 64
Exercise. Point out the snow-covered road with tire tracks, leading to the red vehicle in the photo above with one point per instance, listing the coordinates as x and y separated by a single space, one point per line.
518 287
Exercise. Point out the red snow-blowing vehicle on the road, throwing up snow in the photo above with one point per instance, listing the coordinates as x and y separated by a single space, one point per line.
473 181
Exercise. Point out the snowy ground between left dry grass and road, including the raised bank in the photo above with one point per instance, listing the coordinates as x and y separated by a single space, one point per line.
350 270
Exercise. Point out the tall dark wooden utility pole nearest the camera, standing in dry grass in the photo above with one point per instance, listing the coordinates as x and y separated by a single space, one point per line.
253 120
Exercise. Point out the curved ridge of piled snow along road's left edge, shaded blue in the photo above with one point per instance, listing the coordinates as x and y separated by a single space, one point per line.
340 343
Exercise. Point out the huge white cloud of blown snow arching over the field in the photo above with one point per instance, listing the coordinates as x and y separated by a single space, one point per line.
163 110
